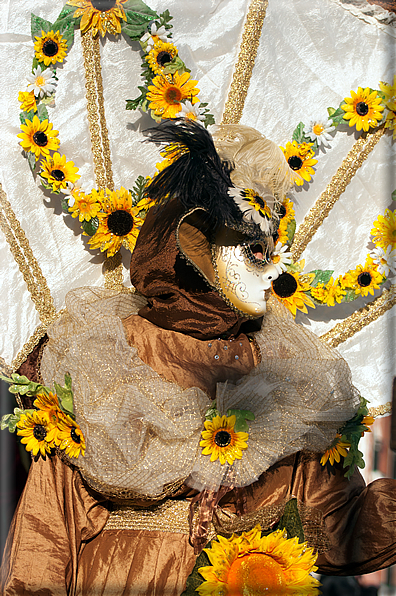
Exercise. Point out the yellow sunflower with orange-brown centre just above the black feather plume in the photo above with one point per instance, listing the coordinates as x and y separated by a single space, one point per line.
167 92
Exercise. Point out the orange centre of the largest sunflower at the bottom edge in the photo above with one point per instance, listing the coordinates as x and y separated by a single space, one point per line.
256 574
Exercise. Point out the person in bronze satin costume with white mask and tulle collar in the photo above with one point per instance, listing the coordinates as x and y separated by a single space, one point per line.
160 378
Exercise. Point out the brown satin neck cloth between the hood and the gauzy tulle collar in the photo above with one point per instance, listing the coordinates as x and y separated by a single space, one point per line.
187 361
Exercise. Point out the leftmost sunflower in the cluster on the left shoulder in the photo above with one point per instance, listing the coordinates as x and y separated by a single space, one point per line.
37 431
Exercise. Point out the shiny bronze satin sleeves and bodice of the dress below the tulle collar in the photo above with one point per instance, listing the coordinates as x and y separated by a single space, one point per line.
57 547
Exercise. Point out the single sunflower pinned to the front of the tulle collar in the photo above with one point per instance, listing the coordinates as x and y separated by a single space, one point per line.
221 441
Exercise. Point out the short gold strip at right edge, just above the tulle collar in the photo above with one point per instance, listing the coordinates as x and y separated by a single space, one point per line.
359 319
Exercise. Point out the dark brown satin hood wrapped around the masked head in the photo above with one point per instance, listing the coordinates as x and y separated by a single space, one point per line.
178 297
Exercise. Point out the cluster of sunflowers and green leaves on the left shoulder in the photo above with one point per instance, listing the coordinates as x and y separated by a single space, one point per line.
51 425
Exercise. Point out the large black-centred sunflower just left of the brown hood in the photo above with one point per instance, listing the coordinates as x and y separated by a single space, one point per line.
119 223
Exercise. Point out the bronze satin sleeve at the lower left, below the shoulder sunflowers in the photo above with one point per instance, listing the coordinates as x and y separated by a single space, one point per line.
55 514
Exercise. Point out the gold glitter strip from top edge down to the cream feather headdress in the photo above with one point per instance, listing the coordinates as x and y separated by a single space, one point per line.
243 70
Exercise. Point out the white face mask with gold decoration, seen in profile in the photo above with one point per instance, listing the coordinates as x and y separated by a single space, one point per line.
244 278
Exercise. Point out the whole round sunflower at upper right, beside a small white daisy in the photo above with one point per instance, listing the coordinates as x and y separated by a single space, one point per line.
363 109
